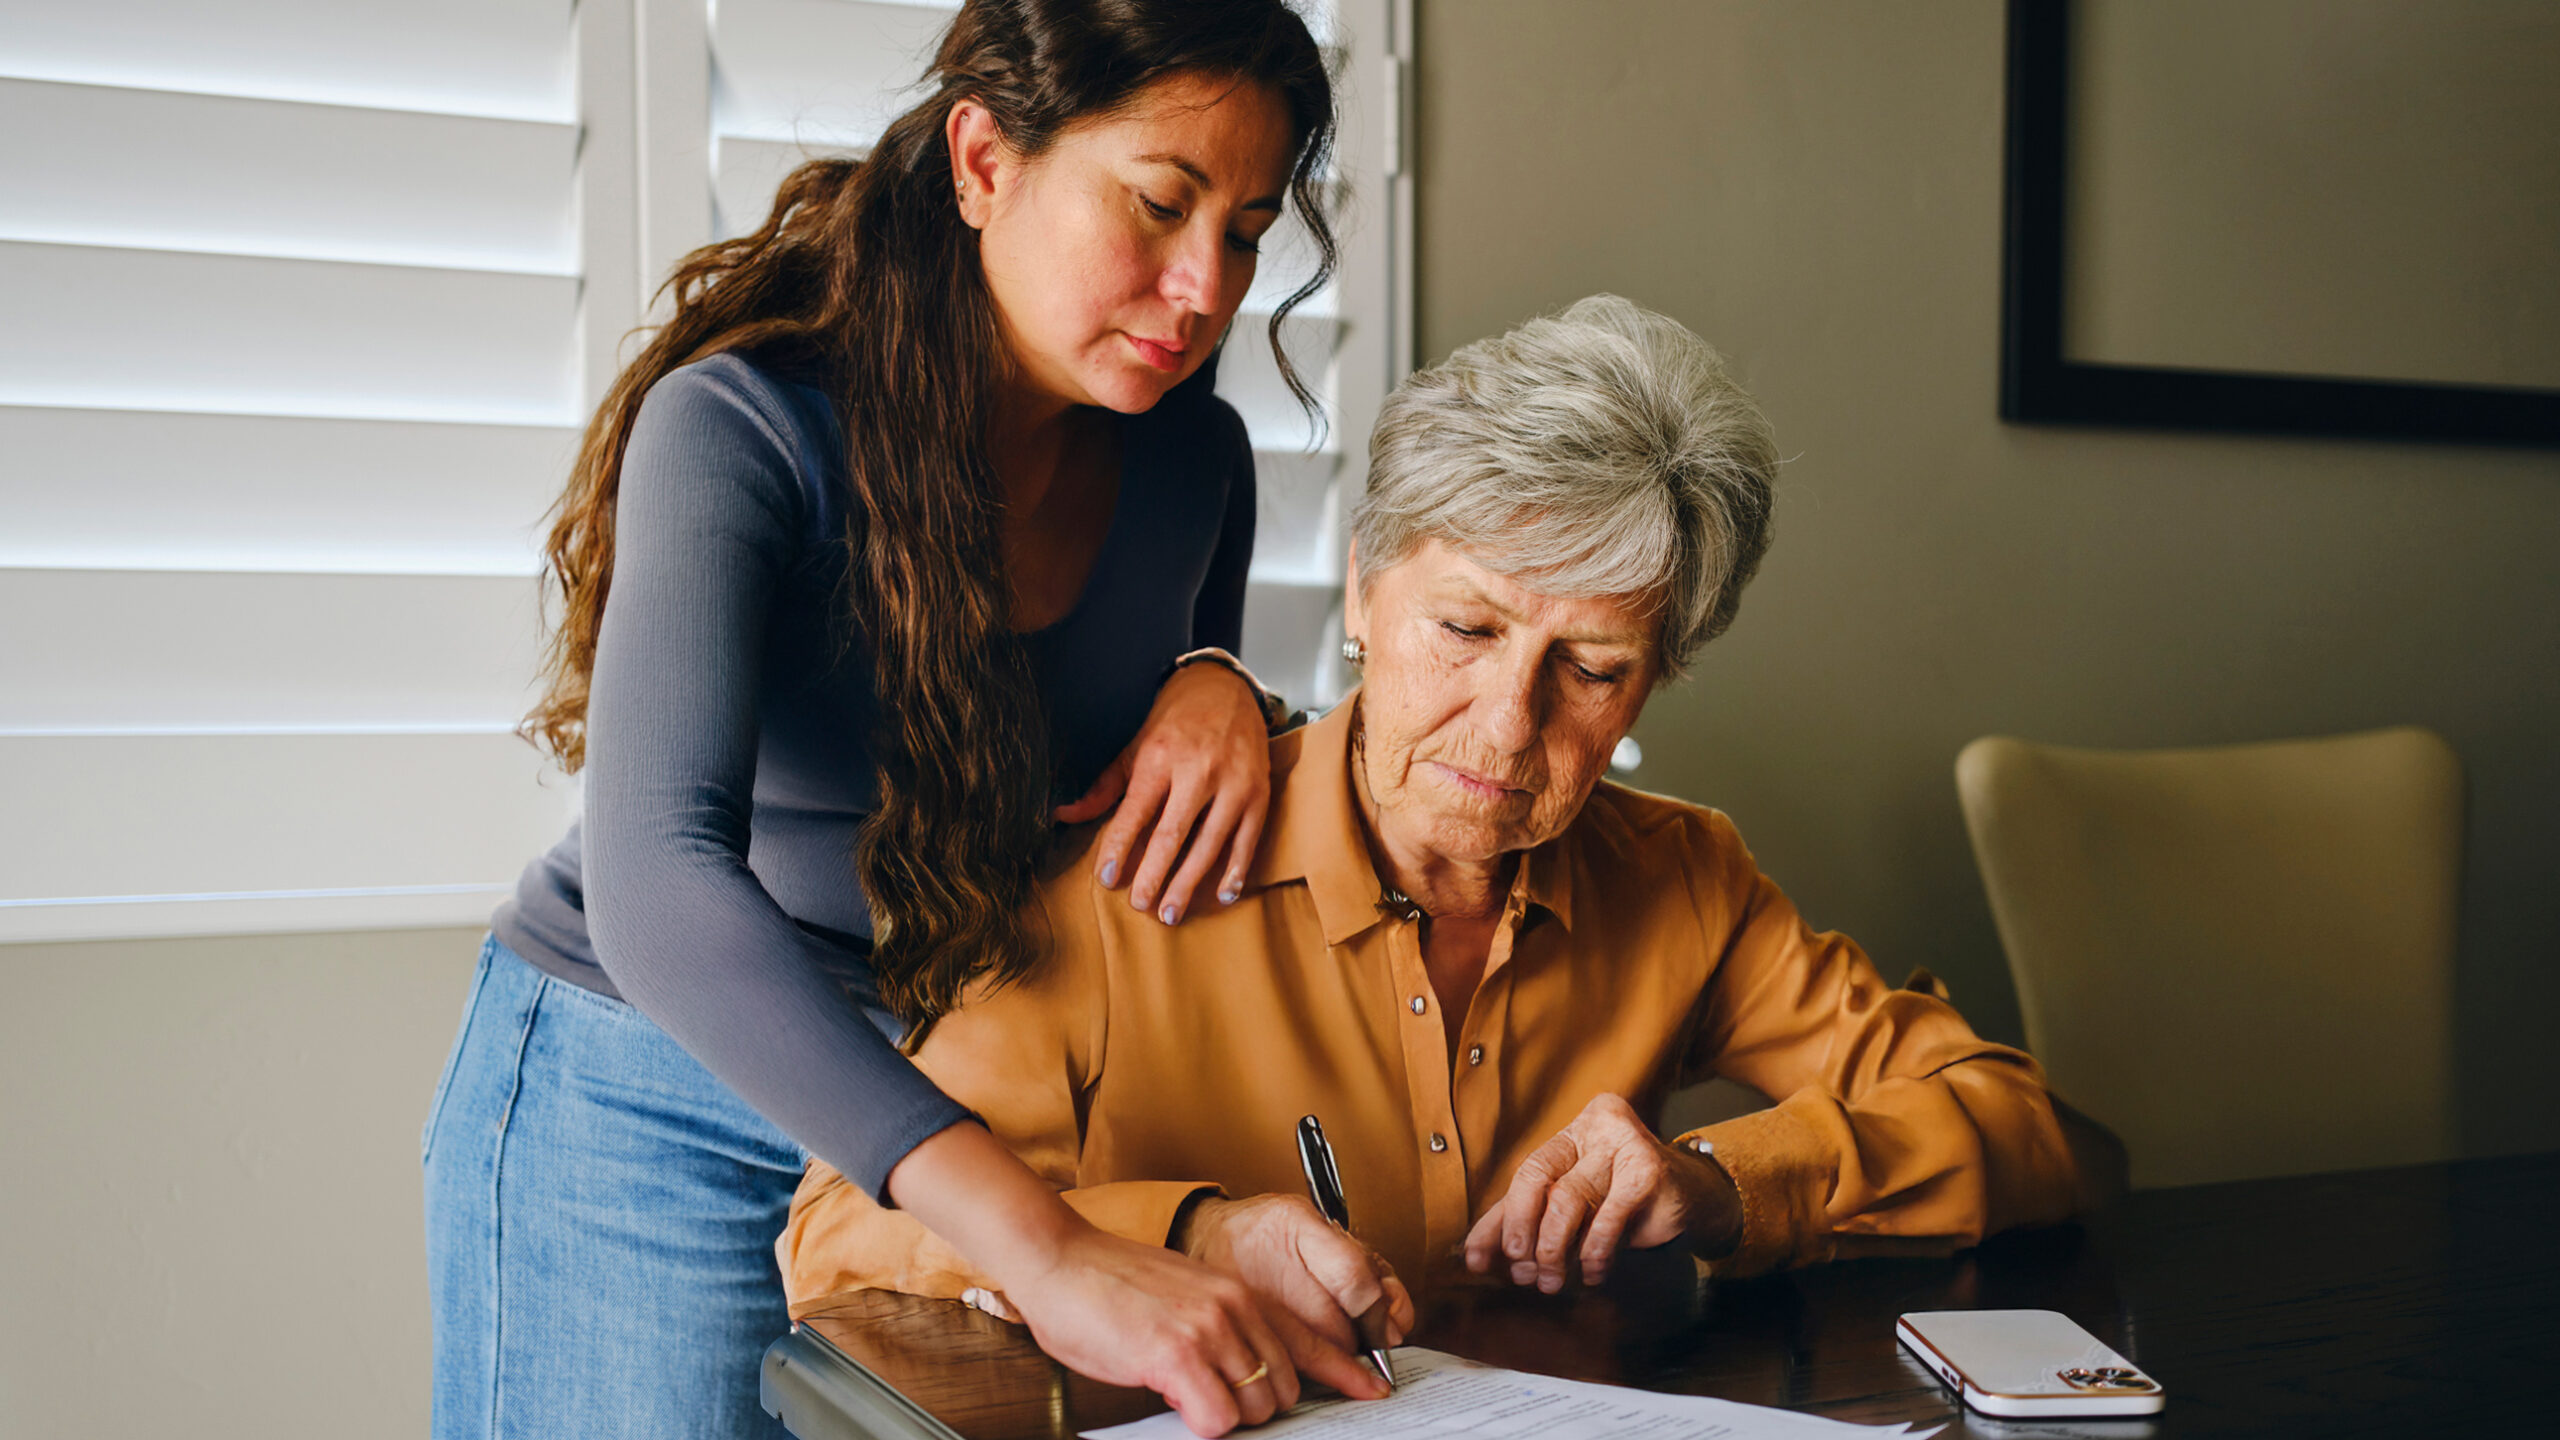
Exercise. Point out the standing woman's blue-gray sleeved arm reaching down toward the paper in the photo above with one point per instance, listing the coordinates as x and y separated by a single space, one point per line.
710 516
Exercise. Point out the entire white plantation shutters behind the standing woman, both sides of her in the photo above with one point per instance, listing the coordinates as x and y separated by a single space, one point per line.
303 306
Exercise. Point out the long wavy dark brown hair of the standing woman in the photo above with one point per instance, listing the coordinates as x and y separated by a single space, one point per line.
867 275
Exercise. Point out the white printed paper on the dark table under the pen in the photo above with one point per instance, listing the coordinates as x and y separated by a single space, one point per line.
1450 1398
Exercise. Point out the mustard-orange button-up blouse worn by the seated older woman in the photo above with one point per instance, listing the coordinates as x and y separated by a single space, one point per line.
1640 952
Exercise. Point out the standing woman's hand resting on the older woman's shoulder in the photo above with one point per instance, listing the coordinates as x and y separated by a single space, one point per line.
1192 790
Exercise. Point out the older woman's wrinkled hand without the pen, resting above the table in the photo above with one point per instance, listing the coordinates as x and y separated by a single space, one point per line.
1599 1185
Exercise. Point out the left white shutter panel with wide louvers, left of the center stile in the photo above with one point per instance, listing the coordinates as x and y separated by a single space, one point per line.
291 363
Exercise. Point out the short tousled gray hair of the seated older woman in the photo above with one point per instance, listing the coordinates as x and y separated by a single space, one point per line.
1591 452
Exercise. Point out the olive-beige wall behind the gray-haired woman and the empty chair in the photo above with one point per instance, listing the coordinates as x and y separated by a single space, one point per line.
1816 188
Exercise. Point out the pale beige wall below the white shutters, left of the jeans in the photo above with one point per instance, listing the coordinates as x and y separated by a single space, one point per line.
209 1195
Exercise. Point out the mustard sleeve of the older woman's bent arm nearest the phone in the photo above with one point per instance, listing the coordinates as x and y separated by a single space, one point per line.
1896 1129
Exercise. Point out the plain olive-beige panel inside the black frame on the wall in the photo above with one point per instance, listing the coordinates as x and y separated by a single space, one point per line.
2236 170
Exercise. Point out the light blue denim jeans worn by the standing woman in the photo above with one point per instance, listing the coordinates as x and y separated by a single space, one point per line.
600 1223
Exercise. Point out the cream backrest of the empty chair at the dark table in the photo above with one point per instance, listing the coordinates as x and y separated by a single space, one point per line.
2239 957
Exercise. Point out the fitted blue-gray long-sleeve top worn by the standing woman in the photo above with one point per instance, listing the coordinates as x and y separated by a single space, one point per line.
728 770
